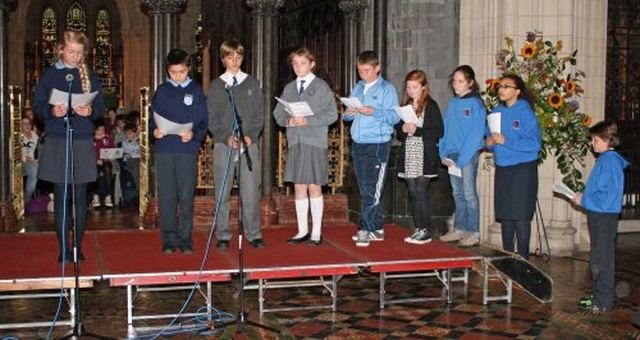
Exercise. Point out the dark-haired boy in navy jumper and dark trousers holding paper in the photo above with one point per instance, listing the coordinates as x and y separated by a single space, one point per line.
181 101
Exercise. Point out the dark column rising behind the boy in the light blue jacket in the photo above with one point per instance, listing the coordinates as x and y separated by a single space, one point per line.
353 39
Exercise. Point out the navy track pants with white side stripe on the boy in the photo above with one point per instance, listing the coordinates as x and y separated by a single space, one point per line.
370 167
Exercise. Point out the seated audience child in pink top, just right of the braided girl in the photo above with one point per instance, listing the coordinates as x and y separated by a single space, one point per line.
104 186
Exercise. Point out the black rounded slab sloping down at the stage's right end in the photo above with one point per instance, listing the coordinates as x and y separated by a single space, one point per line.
526 275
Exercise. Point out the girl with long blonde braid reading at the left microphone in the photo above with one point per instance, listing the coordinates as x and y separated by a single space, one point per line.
70 71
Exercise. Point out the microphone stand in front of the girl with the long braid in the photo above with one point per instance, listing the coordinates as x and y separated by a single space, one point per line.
78 329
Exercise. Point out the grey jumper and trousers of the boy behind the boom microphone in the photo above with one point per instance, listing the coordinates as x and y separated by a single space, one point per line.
247 96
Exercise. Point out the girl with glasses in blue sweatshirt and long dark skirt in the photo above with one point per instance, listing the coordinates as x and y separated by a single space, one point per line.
516 148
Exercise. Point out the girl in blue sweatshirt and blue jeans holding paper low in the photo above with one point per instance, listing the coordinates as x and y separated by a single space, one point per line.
464 127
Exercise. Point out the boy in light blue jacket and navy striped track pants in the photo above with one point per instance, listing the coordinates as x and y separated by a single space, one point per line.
371 127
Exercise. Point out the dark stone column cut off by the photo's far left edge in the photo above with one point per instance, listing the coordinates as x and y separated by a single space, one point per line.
6 208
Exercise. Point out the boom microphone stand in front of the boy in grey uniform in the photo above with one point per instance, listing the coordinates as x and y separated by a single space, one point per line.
237 133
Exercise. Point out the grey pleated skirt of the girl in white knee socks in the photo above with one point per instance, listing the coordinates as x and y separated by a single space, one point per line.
306 164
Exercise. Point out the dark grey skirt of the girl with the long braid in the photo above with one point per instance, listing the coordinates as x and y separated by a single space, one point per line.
52 161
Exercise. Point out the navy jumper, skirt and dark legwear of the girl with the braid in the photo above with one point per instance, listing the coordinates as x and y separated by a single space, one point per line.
54 166
